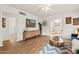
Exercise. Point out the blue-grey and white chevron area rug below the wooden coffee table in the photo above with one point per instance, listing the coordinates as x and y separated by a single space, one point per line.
50 49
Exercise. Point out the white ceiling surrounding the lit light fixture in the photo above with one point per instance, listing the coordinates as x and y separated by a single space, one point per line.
56 8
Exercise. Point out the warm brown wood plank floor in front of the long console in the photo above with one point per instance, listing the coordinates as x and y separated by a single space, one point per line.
28 46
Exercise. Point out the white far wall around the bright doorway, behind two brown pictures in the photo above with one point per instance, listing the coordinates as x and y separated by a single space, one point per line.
67 28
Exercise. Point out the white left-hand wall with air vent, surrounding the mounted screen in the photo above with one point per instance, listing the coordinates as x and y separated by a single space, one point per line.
13 13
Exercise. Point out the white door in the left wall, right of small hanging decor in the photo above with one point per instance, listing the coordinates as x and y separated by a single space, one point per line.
12 27
